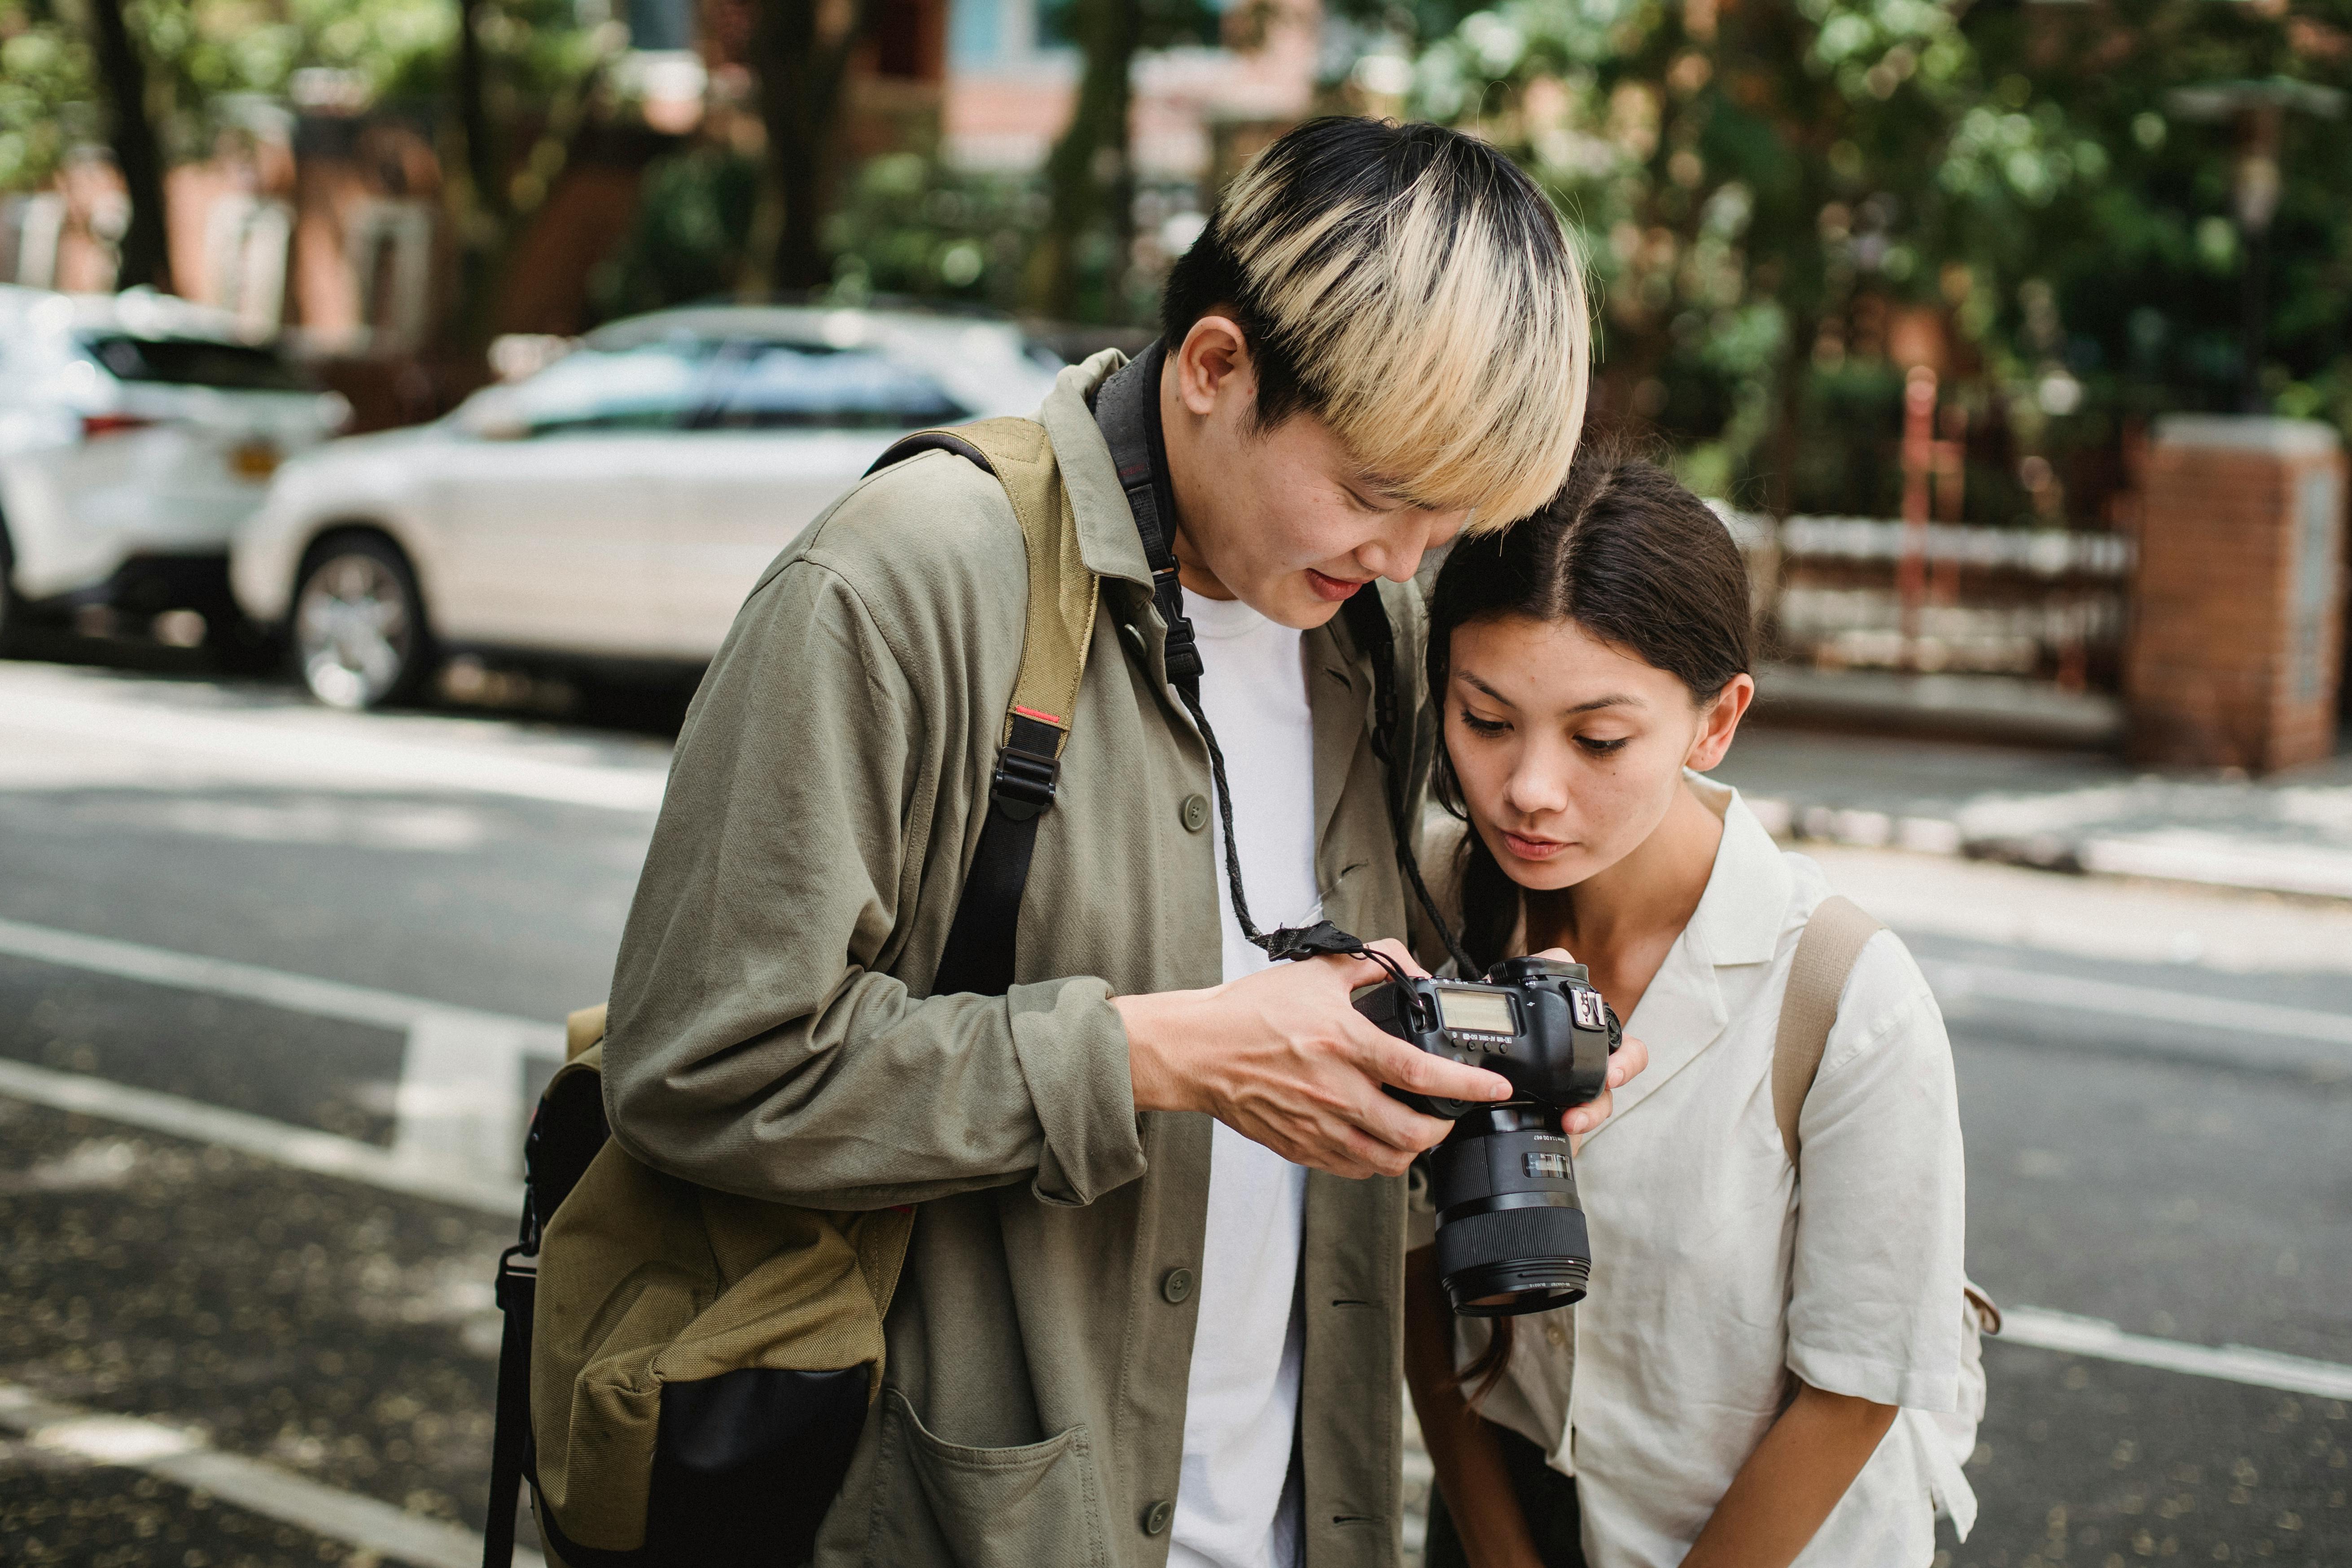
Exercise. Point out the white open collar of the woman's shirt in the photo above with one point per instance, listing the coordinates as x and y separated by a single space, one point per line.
1737 923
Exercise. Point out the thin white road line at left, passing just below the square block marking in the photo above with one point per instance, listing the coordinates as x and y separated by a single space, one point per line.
279 1141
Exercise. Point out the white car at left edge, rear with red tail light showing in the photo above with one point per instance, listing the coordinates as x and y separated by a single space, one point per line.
138 431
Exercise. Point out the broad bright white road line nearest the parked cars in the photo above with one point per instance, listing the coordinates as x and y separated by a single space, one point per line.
309 746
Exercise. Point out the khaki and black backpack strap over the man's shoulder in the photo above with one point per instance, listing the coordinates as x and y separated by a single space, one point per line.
1062 601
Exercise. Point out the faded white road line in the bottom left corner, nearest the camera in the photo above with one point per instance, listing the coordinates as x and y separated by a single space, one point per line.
187 1459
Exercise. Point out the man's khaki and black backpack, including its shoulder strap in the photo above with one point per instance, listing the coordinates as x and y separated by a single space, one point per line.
686 1372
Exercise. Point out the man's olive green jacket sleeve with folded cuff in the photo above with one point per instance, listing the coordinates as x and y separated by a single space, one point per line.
754 1043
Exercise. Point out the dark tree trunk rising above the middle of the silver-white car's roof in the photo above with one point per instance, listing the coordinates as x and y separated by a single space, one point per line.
801 100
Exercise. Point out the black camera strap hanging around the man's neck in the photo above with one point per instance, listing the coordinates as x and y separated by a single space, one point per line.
1128 410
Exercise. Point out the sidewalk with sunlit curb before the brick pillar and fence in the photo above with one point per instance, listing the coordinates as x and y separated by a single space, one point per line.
2083 812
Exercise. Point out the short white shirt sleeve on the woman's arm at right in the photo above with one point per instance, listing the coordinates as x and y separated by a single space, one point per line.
1876 1289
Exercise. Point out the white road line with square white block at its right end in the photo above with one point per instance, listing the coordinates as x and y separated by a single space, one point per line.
462 1071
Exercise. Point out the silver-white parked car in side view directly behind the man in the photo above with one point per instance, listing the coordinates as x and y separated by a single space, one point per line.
615 507
